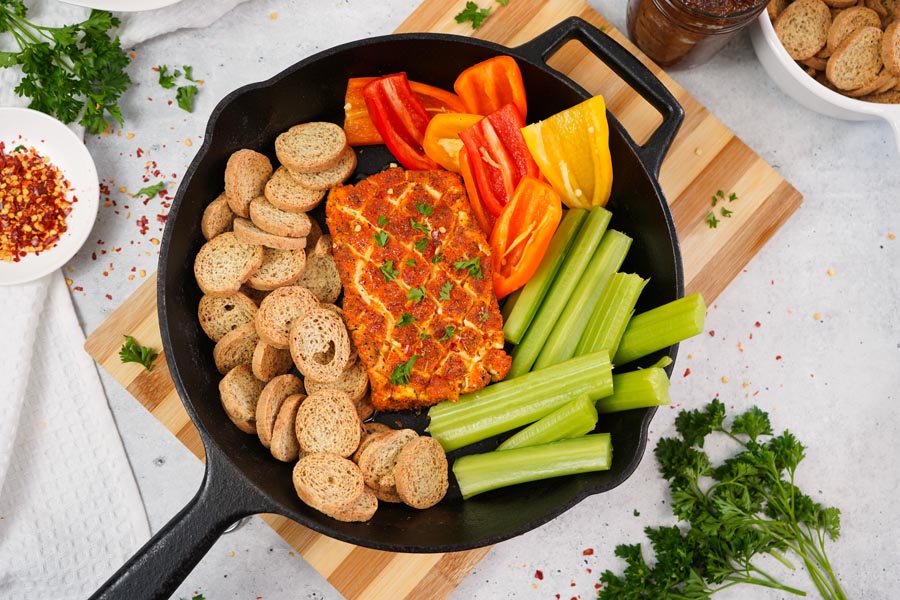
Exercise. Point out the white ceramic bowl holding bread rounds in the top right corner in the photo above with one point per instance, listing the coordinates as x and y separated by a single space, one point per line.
806 90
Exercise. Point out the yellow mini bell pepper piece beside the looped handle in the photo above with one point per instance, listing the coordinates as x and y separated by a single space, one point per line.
572 150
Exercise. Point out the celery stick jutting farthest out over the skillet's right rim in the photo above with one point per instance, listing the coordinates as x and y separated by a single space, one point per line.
661 327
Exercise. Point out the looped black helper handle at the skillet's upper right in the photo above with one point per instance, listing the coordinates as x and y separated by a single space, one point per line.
626 66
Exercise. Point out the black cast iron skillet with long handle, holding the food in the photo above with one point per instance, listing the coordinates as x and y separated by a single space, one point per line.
241 477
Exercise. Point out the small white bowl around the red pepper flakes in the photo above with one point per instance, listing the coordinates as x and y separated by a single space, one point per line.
65 150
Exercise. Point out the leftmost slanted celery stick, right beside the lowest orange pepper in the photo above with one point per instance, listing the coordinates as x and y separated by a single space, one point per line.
519 309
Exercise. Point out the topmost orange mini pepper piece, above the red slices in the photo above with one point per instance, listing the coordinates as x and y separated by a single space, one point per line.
490 84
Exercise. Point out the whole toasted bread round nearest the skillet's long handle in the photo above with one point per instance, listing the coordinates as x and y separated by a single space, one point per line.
327 482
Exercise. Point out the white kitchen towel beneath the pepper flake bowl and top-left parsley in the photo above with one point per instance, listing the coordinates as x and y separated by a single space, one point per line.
70 510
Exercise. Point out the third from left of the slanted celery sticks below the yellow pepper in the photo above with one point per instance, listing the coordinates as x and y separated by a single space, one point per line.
607 259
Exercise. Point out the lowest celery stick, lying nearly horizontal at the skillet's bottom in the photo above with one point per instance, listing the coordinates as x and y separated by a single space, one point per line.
477 473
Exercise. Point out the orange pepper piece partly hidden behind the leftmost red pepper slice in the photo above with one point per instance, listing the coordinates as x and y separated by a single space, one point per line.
358 125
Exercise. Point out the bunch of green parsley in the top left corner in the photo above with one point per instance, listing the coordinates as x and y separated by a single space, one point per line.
74 72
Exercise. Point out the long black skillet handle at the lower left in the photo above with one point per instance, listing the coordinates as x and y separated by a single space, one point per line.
159 567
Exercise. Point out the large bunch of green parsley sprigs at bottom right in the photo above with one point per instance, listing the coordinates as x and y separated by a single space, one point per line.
746 507
